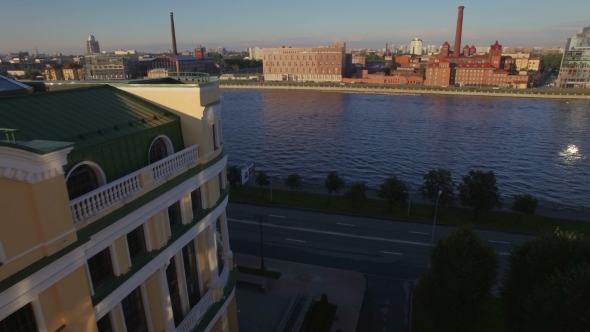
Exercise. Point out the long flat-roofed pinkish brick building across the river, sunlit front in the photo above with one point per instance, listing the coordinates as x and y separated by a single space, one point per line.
318 64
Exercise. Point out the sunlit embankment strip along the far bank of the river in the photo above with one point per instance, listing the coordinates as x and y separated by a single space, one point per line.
414 91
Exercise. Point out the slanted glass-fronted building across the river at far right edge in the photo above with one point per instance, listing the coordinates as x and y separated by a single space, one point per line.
575 64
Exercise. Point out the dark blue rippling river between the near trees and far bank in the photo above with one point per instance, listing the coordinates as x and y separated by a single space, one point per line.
536 146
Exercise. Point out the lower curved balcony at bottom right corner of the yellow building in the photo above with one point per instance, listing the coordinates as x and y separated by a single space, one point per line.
196 315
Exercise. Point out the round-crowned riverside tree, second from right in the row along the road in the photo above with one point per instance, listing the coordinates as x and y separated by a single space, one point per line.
479 191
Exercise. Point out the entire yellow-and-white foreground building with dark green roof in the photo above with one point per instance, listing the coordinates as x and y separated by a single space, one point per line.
113 210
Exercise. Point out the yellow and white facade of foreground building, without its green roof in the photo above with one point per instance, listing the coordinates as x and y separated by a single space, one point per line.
149 258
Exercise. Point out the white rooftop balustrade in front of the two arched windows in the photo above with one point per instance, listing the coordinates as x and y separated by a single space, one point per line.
101 198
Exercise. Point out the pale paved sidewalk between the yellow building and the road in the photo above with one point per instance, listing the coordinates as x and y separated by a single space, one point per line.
345 289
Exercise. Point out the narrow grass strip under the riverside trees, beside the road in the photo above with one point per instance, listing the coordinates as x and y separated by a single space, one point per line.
418 212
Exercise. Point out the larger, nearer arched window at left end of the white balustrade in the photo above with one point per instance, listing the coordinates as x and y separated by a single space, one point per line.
83 179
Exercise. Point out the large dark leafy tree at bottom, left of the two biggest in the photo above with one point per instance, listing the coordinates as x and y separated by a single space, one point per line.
452 291
